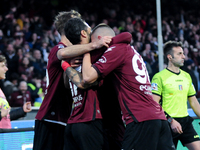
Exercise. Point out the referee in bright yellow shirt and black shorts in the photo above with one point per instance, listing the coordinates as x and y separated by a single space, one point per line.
173 87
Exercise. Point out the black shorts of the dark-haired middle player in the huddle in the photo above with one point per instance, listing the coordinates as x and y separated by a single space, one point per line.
84 136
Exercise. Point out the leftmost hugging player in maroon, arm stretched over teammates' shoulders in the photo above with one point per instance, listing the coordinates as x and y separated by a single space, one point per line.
52 116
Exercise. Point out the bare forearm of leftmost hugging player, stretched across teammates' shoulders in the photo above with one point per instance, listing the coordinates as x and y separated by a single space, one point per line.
77 50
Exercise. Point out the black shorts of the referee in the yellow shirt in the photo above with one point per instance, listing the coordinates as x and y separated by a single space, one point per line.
189 134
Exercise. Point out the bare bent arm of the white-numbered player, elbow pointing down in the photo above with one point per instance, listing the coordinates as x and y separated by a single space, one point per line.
89 73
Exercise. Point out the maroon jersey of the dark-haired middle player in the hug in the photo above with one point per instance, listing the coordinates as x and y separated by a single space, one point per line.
85 105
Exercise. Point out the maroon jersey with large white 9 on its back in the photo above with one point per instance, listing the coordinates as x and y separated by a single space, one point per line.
131 80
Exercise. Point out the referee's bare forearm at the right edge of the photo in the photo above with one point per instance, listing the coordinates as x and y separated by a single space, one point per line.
194 105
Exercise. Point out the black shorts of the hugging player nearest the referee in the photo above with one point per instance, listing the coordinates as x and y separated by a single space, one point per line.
148 135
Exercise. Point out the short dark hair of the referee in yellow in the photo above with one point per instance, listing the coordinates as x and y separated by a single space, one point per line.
168 48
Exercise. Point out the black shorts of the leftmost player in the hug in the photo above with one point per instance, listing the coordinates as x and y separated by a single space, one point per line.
48 136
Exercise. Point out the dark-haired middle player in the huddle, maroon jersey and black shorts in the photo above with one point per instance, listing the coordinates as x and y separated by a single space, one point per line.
84 128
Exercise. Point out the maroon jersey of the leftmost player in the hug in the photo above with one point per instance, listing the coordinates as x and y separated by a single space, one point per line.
56 106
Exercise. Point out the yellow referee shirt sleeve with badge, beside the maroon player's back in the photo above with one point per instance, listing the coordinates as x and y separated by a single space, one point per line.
156 85
